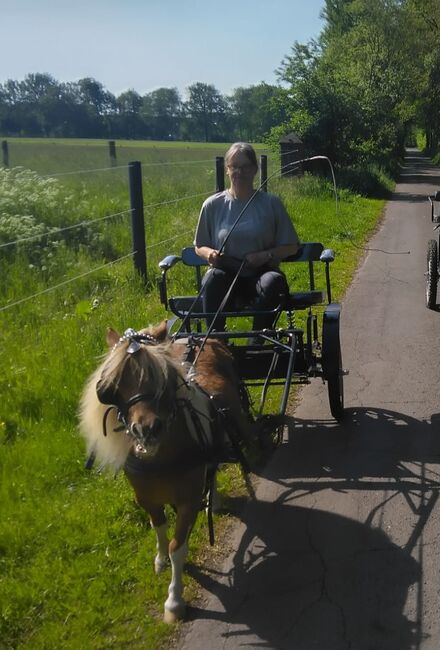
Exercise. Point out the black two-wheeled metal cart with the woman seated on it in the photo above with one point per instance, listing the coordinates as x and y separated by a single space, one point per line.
297 349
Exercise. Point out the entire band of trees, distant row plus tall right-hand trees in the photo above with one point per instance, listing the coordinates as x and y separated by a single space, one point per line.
358 93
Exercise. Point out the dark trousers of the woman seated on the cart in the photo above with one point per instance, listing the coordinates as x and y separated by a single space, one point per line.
266 290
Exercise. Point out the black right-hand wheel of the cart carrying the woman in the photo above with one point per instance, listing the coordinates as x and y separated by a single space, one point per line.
332 360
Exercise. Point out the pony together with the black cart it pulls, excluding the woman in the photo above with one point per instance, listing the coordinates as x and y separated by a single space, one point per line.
168 405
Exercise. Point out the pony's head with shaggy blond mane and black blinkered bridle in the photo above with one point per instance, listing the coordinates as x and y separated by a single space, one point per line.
134 390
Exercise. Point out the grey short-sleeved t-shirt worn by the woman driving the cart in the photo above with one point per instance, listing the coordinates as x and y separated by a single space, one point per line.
264 224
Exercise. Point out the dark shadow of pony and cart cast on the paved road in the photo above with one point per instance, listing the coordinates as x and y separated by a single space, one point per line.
303 577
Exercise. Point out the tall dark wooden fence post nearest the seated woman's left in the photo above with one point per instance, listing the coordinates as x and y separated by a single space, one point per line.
137 218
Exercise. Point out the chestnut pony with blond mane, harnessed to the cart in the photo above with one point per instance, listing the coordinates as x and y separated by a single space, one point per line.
168 430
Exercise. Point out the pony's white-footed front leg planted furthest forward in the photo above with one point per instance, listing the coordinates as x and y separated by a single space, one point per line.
178 550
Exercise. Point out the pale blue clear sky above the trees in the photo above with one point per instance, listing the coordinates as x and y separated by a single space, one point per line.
146 44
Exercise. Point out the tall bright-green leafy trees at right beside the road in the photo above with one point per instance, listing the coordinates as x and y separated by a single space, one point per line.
368 84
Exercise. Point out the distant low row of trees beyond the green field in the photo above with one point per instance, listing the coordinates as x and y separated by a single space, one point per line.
41 106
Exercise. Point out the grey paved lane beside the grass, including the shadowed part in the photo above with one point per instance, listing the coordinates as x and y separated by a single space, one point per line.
341 549
